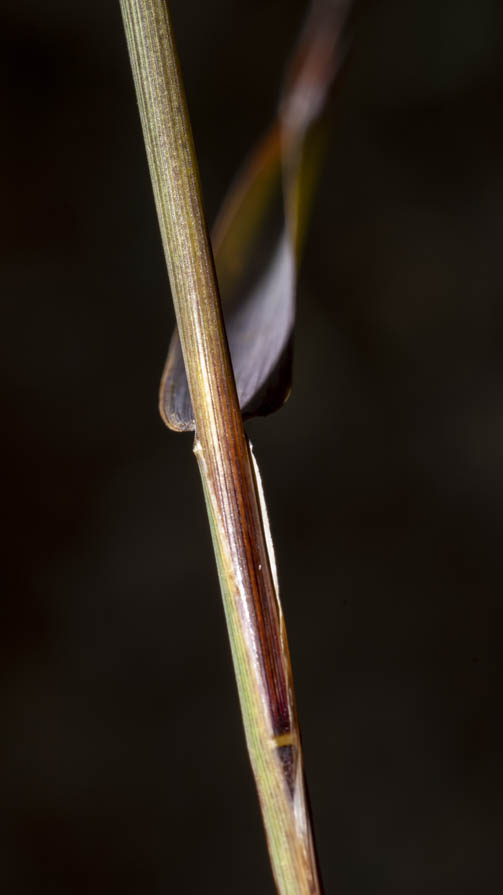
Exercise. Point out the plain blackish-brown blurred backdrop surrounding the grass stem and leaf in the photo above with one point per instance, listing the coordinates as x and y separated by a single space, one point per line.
123 768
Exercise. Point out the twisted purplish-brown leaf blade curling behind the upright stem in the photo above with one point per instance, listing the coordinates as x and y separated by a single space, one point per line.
258 235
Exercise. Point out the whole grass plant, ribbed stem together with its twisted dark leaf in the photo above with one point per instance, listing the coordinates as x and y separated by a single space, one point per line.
199 388
